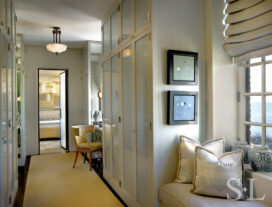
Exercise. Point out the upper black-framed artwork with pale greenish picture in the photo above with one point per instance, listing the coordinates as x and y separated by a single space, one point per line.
182 67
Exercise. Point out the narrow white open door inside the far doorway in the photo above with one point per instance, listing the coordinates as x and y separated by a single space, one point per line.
63 134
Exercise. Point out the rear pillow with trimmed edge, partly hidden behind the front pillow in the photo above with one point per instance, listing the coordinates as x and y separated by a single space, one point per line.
185 173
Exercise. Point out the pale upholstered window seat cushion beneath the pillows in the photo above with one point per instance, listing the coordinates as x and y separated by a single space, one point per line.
179 195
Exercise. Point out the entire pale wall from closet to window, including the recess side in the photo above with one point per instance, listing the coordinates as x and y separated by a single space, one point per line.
192 26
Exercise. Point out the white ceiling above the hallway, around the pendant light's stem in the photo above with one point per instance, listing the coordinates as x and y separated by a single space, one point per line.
80 20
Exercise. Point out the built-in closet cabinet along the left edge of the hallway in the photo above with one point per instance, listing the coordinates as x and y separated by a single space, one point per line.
8 108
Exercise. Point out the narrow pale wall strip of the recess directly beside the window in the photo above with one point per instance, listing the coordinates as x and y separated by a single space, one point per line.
224 81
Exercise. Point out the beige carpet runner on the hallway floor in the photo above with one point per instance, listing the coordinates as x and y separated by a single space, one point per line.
52 182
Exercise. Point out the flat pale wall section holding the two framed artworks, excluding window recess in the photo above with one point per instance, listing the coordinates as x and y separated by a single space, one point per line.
178 25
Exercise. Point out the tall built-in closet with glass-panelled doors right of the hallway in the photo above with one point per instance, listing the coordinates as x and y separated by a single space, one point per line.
127 111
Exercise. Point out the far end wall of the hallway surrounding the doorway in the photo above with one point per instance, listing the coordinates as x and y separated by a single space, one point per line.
38 57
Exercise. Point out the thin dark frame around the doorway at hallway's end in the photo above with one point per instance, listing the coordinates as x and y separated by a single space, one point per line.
66 71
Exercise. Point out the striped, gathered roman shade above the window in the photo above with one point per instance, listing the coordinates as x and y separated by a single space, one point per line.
248 26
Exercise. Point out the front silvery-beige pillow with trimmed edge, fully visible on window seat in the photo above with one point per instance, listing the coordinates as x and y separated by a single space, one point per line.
218 176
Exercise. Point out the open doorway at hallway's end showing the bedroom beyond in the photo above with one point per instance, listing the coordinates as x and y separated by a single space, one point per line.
53 111
